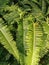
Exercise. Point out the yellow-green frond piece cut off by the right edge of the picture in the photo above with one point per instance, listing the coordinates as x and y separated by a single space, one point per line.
46 30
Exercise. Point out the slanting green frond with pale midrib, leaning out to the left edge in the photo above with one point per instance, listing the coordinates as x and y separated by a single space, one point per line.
6 40
